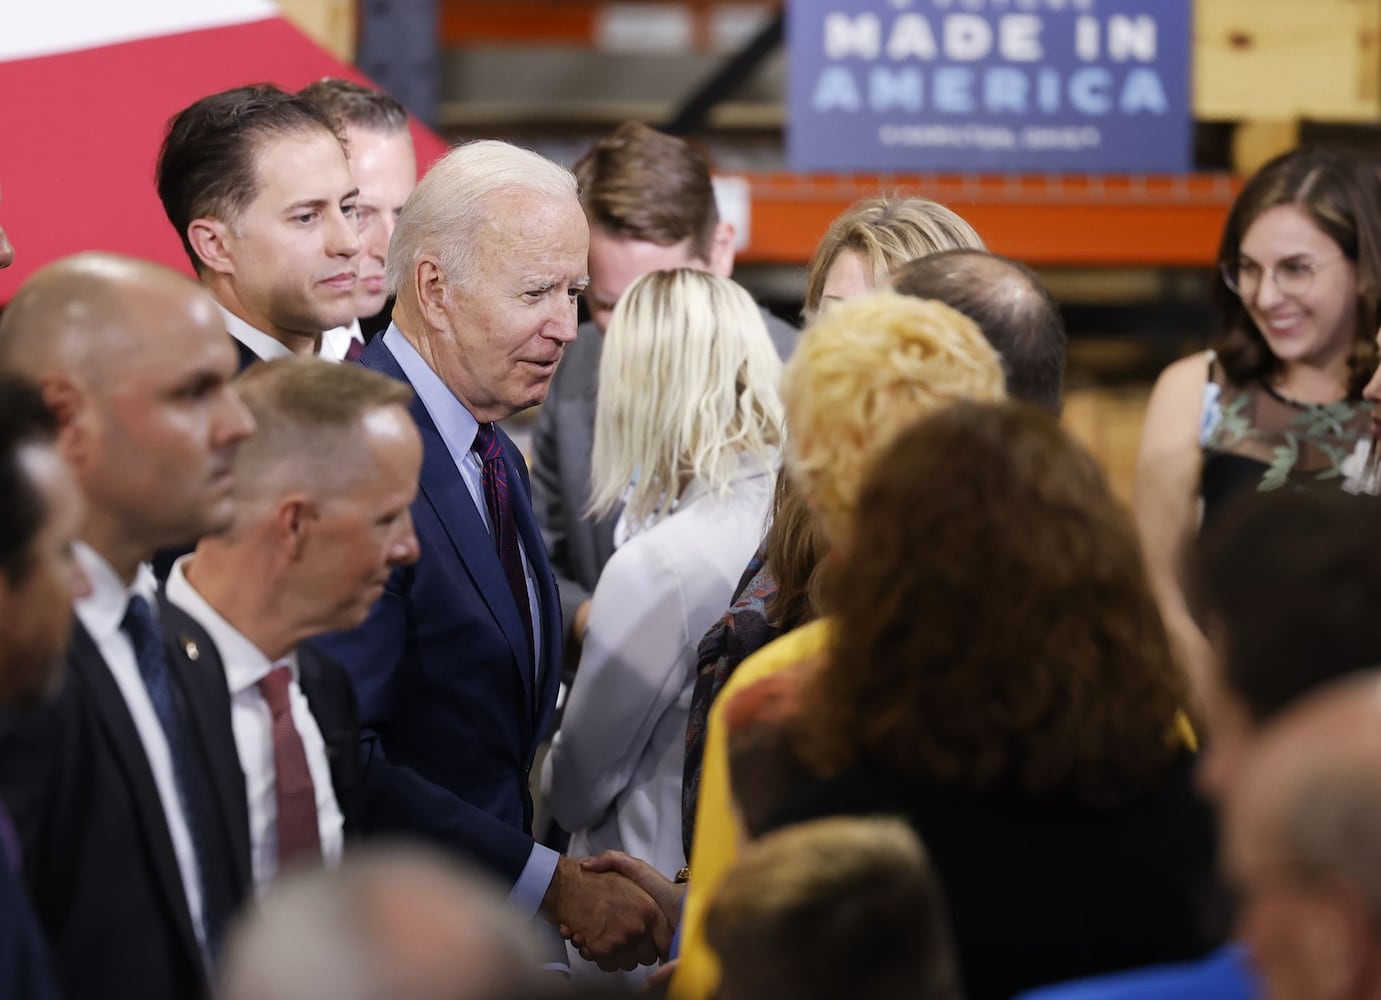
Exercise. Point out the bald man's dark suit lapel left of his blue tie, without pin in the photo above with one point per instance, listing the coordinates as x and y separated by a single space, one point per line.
128 753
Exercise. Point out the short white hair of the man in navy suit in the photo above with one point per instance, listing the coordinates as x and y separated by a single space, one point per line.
447 208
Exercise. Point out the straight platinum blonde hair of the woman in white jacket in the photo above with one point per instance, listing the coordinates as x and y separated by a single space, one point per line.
688 389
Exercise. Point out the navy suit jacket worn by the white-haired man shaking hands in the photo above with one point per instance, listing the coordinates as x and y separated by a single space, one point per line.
450 711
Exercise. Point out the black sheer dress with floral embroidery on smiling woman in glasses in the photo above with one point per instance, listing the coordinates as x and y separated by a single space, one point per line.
1256 439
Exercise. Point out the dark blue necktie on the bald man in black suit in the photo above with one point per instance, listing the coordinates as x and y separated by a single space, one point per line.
193 787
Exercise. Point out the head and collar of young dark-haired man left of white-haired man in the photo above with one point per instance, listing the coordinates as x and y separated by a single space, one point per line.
258 187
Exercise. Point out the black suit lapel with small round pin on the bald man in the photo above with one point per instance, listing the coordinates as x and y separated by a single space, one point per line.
197 665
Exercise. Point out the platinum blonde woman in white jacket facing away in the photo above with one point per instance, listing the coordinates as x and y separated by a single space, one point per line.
690 415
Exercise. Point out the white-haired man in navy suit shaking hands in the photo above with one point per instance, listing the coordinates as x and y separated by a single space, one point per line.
458 665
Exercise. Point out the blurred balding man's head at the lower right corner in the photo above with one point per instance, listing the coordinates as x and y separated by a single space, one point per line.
1303 845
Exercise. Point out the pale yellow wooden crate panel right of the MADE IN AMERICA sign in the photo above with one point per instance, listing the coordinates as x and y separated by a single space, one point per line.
1281 60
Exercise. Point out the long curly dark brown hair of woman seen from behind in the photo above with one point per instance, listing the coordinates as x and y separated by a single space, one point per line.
996 631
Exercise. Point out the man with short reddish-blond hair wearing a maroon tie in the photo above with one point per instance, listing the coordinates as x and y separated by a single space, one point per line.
322 516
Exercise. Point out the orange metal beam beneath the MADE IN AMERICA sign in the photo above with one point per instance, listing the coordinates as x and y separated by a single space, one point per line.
1147 222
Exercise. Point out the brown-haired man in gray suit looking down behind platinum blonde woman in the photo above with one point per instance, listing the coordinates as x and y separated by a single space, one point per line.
651 208
